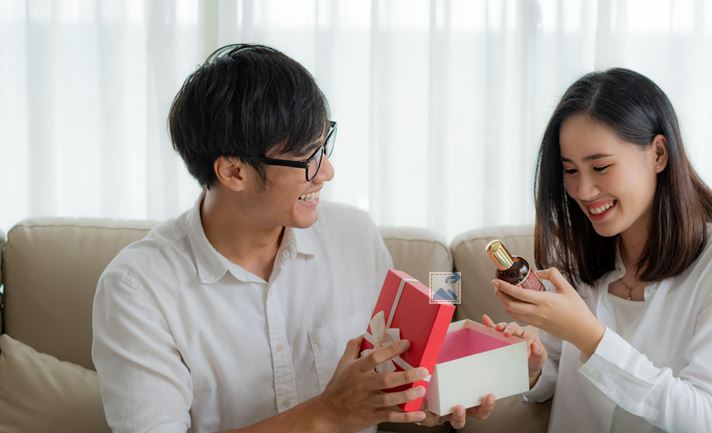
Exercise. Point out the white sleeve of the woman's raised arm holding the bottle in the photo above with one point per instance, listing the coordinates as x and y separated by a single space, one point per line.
681 403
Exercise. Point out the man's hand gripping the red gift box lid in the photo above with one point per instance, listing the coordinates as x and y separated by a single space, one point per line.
353 400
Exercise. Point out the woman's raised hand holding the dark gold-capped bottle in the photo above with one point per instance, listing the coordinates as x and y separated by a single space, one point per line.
561 313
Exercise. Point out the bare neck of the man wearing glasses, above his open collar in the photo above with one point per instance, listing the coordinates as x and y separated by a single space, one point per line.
238 236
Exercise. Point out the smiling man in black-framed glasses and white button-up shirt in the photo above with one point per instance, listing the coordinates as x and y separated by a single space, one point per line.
234 316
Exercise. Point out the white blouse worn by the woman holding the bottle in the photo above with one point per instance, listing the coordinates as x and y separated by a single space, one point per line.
655 375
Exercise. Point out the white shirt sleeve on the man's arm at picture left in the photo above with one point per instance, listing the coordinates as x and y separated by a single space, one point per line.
145 386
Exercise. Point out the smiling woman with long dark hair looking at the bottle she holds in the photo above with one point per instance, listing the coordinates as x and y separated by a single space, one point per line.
623 216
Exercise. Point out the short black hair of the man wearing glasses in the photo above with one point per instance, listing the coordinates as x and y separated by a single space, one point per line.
246 101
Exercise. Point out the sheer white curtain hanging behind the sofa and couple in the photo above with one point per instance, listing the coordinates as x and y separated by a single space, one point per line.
441 104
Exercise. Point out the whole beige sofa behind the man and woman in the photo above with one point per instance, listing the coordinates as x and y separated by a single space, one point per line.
49 269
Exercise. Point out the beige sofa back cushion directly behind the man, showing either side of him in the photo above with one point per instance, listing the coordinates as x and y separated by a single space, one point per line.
52 267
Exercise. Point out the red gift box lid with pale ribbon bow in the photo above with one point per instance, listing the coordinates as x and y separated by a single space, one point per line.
404 311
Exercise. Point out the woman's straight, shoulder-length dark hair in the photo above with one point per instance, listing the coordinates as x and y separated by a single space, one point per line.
637 110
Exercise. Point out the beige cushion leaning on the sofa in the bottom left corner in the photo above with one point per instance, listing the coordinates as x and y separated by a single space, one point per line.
39 393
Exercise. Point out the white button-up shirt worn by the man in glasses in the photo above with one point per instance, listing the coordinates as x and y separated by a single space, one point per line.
185 340
